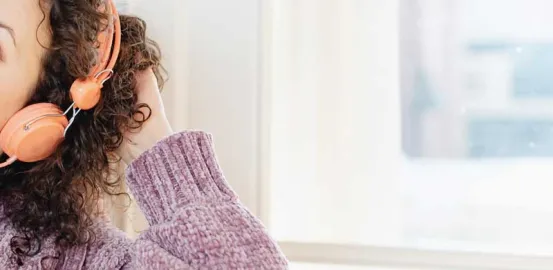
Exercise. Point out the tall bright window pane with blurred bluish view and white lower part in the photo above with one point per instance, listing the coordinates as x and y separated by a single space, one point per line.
476 100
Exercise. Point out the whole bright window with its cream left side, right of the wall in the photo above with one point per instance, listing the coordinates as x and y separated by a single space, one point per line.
415 128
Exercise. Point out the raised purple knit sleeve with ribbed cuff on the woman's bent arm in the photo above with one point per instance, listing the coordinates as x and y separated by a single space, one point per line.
196 220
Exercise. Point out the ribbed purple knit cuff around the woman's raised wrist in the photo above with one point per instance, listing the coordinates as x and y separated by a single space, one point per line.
178 171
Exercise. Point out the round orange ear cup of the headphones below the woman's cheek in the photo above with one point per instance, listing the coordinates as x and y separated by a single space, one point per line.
34 133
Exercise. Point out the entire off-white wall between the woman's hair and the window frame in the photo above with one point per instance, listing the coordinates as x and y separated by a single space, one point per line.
211 49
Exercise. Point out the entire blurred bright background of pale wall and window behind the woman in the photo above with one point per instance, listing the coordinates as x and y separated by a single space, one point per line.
373 134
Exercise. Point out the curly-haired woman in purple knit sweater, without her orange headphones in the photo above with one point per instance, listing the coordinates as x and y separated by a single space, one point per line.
48 213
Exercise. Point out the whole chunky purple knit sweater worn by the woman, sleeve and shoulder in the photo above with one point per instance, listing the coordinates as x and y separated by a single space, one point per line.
196 220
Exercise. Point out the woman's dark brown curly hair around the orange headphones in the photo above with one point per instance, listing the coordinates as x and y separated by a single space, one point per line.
51 198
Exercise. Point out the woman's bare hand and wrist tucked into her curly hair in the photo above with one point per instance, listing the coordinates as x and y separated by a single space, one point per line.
155 128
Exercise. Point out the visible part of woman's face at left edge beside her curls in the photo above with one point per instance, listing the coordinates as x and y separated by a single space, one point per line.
20 53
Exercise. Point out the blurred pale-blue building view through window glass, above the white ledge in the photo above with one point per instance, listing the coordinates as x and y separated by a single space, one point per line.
475 82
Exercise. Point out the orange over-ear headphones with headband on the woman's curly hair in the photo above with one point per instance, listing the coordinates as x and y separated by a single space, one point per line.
35 132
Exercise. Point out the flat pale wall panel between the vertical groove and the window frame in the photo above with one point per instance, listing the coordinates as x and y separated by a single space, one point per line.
223 81
